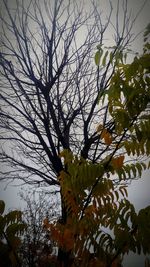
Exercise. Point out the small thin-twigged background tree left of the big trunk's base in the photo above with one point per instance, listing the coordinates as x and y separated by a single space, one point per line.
36 243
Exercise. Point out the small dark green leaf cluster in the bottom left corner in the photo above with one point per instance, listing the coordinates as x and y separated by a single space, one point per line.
11 229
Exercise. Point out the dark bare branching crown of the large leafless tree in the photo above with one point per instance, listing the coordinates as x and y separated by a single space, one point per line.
49 84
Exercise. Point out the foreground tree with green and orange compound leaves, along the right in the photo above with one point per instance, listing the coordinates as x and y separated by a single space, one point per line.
102 225
